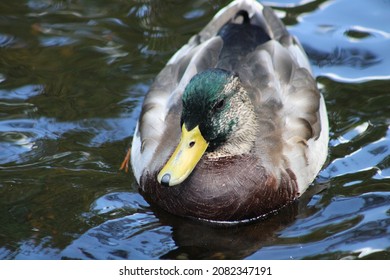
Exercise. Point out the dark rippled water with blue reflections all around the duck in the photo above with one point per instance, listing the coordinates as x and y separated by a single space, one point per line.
73 75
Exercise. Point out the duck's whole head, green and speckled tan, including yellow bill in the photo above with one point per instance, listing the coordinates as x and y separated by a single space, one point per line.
217 113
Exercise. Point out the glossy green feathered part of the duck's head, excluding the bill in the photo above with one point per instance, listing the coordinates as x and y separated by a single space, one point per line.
207 103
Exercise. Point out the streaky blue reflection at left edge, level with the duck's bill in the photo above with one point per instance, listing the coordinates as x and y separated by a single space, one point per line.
19 136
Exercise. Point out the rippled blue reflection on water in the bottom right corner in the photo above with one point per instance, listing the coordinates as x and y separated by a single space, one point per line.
354 226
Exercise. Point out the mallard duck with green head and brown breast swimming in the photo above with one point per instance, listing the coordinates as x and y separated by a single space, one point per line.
233 127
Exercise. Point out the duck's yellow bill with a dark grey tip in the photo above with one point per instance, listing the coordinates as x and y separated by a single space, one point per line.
184 159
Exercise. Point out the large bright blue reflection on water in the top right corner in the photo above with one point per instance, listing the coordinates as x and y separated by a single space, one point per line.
336 55
